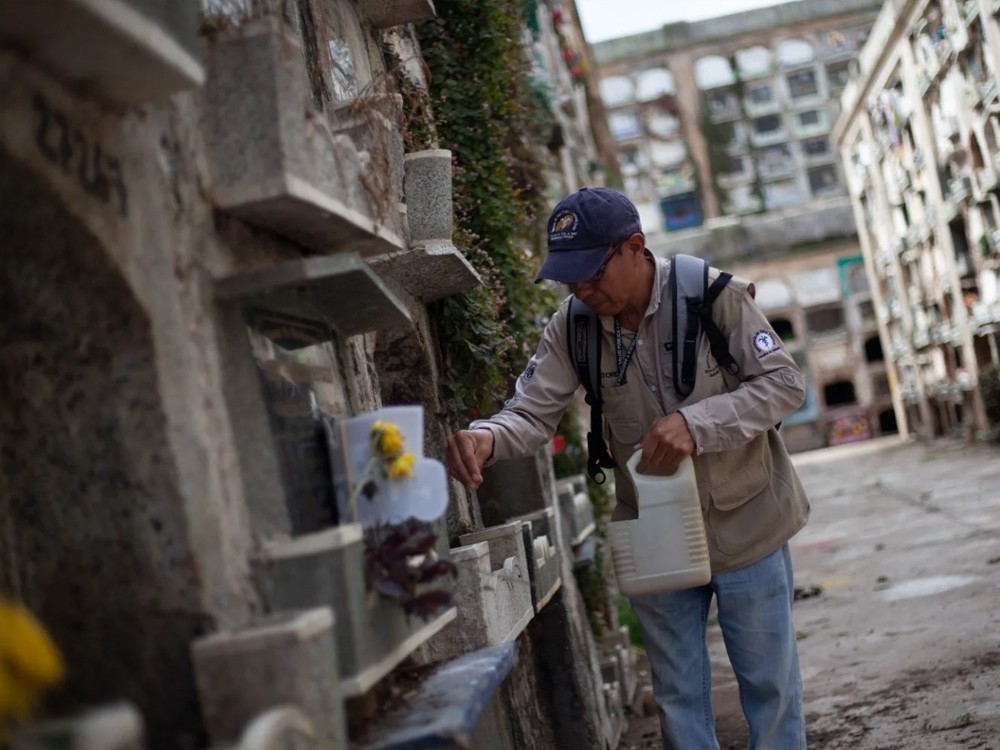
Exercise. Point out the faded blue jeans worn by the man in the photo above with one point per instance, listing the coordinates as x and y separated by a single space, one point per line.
755 614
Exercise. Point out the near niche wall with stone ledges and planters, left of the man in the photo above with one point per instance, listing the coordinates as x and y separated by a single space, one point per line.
224 236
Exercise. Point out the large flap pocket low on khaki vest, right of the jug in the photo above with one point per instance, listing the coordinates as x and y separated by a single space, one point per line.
743 511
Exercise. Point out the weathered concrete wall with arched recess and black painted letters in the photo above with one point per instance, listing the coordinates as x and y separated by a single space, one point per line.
122 486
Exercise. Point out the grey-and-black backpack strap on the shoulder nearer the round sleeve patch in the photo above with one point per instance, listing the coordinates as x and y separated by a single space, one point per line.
692 314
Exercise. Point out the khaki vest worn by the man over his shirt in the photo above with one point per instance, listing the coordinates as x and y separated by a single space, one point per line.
751 497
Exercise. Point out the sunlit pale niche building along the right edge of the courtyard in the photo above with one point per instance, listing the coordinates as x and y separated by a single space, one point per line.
920 142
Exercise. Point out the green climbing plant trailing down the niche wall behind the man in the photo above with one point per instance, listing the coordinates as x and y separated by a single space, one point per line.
486 114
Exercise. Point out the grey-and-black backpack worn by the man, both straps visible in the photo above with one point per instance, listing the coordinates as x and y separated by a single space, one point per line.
691 313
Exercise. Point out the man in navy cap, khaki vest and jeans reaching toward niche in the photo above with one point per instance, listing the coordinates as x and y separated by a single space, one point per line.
752 500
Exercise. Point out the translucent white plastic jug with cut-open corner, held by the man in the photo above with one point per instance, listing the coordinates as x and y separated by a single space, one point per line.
664 549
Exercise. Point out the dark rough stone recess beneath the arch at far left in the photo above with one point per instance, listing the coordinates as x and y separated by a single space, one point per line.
94 530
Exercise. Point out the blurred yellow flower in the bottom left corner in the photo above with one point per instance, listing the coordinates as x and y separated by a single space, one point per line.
30 664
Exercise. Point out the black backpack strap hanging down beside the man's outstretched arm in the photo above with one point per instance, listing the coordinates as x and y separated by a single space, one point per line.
583 332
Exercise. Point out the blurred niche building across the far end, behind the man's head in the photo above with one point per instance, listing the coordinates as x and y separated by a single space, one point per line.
722 128
